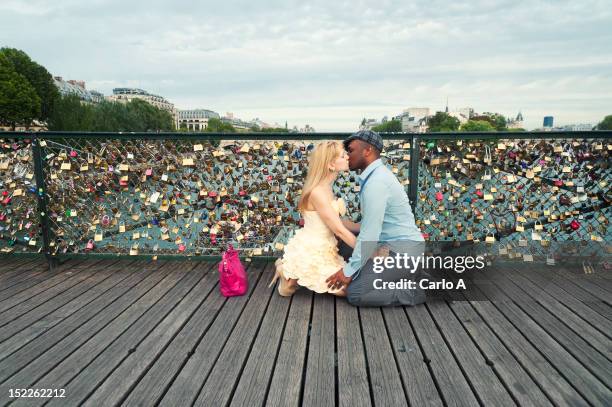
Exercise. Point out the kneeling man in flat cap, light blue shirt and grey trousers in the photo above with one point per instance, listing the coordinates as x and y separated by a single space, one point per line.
386 216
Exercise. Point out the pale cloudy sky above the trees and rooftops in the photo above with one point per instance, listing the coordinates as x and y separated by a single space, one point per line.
331 63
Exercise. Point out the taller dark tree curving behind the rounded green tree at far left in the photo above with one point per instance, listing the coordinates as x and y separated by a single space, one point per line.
38 76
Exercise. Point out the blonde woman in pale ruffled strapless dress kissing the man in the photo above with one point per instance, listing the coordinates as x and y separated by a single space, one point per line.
311 255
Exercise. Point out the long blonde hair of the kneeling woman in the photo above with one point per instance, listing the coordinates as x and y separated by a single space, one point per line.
319 162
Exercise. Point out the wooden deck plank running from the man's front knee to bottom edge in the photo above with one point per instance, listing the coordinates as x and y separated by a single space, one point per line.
353 386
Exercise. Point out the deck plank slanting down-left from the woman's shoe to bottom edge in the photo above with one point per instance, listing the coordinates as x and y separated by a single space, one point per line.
220 384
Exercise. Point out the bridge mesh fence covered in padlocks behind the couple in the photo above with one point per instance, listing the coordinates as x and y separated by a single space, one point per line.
529 195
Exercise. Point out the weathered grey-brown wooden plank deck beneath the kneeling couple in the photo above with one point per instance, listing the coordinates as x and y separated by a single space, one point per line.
135 333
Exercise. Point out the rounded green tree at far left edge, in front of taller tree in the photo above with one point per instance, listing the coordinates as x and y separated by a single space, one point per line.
19 103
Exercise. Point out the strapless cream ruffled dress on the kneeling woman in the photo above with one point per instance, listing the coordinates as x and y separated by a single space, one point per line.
311 255
